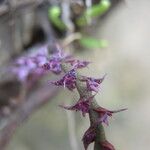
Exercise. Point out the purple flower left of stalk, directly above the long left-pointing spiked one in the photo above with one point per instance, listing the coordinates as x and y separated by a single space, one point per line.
68 80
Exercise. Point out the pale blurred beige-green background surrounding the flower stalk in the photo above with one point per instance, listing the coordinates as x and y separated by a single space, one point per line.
126 61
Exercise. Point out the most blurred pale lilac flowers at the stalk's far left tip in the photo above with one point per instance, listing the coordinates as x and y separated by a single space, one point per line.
30 65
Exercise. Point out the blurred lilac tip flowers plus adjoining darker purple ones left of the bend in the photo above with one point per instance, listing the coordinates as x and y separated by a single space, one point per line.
38 63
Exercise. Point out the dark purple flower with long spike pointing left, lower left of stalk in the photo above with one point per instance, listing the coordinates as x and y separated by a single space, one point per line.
82 105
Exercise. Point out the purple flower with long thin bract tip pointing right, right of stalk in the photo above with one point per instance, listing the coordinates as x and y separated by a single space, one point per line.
104 114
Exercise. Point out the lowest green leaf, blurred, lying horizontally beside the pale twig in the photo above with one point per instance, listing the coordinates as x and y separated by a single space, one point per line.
89 42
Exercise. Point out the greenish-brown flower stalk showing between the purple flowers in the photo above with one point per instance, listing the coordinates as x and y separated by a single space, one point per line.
98 129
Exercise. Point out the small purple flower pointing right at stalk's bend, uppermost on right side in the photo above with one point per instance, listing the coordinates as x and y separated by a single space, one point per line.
78 63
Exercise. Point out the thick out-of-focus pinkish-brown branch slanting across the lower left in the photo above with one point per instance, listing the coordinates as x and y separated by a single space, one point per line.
34 101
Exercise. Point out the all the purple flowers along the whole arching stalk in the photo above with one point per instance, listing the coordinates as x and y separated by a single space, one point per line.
42 62
